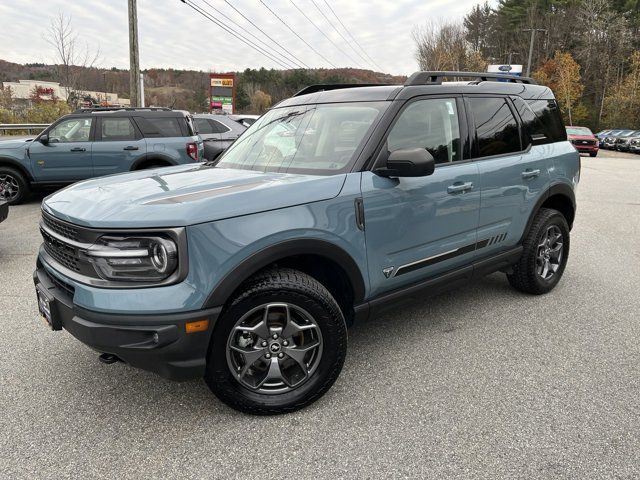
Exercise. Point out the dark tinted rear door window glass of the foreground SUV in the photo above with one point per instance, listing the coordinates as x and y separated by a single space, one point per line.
496 128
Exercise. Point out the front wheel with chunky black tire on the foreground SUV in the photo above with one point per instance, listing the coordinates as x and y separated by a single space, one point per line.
244 383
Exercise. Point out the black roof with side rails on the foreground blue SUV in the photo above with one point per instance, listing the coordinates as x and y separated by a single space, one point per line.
423 83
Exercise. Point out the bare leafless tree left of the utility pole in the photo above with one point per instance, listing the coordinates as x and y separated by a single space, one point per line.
72 58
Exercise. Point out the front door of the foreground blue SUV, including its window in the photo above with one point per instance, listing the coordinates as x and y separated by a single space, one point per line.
419 227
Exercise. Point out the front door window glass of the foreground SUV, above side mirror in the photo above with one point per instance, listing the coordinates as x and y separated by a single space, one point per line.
430 124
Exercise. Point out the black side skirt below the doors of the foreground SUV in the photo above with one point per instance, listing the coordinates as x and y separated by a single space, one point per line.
438 284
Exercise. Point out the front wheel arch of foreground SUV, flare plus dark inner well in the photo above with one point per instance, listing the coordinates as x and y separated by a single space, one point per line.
312 256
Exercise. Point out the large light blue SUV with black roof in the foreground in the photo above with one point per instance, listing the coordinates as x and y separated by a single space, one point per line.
335 204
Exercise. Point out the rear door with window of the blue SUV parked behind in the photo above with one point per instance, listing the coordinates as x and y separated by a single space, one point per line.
118 145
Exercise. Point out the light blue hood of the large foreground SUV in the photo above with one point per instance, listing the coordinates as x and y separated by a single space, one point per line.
184 195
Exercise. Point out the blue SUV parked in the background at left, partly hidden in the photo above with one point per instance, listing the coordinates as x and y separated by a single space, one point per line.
95 142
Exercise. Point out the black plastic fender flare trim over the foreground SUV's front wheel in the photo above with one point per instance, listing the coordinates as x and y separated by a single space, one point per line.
260 259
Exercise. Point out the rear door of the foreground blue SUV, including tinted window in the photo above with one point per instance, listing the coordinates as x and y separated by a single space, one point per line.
512 174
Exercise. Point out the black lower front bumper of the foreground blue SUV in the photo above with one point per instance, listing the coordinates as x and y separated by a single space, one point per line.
157 343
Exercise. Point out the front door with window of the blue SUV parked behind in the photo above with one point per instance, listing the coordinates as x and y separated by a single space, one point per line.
66 157
